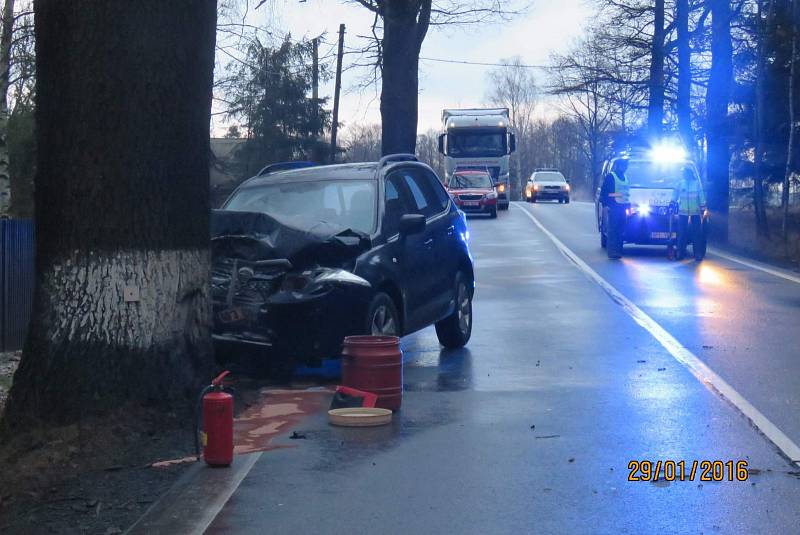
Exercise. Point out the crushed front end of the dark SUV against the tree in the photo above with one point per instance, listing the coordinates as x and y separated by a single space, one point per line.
278 286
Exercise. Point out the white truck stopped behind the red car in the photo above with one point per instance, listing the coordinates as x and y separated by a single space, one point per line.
479 139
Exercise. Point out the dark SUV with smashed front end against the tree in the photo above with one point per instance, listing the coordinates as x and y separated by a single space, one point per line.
304 257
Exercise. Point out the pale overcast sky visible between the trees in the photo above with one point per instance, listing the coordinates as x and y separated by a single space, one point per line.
548 26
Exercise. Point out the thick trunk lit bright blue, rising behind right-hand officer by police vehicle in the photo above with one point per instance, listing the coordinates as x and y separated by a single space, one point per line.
717 99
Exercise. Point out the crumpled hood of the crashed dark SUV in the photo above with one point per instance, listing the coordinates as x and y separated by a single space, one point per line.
258 236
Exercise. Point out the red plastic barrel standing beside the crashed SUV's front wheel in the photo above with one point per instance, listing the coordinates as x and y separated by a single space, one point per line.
374 364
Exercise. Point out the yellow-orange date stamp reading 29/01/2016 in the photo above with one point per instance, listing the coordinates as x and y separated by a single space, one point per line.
669 470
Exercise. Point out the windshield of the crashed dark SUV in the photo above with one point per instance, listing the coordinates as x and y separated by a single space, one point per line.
349 203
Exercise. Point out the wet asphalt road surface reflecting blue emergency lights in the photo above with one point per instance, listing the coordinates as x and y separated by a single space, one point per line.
531 428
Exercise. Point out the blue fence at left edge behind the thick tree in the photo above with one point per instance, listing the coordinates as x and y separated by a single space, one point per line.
16 281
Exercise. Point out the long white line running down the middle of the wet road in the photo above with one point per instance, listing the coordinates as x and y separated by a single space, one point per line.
698 368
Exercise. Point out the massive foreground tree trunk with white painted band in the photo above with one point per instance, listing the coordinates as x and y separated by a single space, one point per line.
123 104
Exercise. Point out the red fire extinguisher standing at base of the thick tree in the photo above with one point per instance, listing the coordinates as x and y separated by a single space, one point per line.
214 425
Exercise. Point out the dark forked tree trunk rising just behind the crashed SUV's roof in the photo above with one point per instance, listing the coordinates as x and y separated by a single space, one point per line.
404 27
